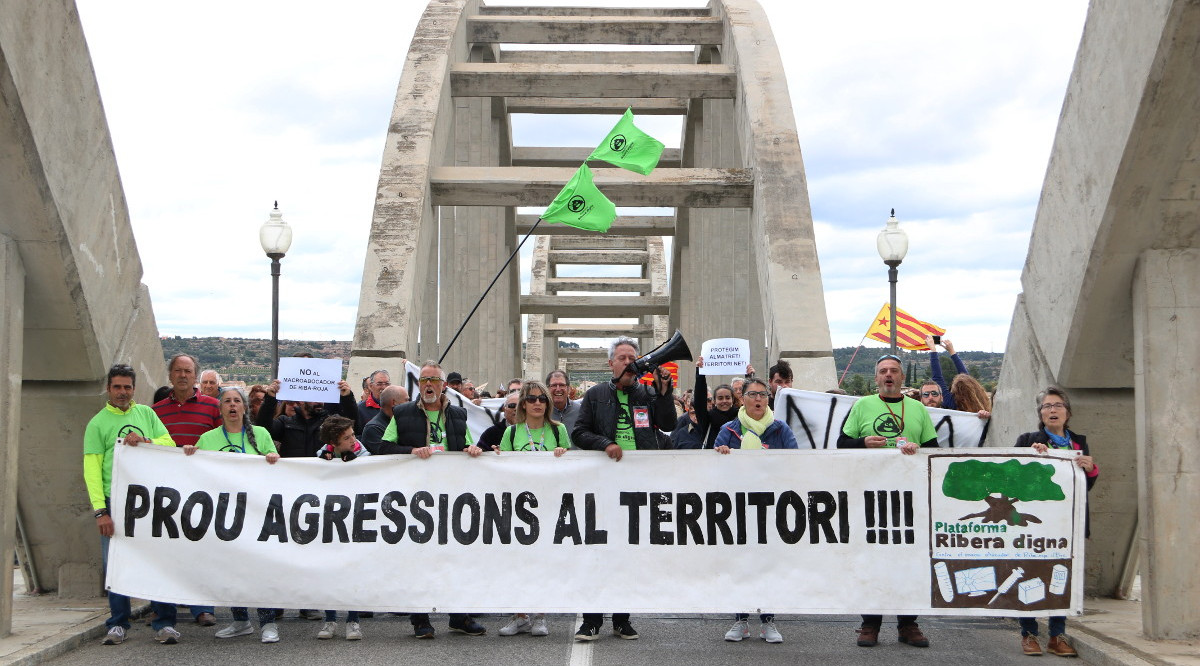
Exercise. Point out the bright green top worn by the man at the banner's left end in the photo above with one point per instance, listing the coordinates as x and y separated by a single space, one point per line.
100 437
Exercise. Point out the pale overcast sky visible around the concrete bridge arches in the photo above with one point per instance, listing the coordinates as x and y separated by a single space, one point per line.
944 111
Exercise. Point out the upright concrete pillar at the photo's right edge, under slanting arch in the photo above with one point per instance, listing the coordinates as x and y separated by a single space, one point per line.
1167 352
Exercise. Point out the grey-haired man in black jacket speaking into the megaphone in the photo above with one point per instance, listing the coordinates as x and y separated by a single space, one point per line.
616 417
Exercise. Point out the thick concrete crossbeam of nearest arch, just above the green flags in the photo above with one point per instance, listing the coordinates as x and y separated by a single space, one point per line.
518 80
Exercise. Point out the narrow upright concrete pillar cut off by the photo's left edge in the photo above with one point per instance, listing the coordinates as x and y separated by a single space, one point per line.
13 328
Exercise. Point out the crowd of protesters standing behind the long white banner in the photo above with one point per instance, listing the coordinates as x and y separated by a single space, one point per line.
196 412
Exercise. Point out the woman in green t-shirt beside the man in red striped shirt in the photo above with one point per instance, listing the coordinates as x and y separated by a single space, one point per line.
238 436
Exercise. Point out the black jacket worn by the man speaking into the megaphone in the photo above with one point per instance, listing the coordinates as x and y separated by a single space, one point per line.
597 425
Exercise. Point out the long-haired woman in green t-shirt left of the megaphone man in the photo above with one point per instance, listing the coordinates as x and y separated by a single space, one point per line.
535 431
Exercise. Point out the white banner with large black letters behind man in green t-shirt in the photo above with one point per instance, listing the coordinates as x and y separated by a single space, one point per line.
818 418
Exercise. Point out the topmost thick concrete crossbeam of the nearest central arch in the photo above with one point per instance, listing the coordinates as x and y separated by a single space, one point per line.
609 29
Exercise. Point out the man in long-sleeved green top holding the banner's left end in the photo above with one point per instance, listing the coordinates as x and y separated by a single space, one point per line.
122 421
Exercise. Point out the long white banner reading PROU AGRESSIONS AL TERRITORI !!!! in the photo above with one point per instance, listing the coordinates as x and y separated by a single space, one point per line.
818 532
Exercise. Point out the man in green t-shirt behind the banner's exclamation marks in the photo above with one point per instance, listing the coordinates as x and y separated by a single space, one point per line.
874 423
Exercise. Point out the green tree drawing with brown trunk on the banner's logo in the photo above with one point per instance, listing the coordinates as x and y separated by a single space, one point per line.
1001 485
